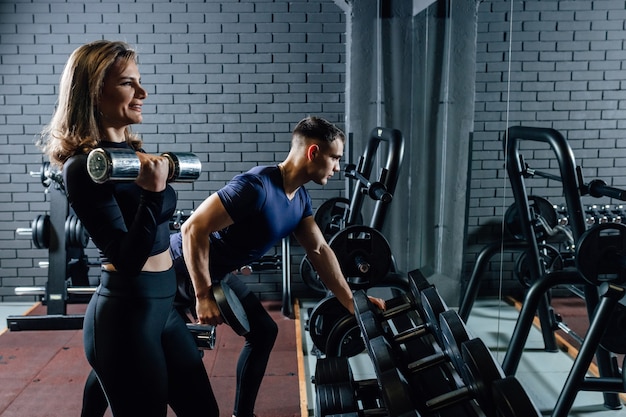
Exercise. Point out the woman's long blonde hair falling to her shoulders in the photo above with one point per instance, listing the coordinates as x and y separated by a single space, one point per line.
75 125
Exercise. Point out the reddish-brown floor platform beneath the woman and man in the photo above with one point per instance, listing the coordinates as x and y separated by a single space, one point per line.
42 373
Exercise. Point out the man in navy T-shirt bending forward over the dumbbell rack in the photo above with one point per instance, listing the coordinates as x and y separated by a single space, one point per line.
240 222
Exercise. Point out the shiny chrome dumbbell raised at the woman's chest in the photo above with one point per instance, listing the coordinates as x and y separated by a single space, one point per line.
123 165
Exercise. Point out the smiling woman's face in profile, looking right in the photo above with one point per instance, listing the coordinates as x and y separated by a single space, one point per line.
122 96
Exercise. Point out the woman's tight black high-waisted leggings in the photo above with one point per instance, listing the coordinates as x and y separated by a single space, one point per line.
141 350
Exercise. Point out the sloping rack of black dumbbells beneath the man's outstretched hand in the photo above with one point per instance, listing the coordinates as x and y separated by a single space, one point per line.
426 363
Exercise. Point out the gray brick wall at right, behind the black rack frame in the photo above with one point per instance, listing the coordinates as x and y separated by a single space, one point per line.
567 72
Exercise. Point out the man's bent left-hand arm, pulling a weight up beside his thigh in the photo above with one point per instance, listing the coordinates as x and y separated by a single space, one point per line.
209 217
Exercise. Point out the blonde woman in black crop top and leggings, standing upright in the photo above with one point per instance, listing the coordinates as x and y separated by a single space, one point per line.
139 347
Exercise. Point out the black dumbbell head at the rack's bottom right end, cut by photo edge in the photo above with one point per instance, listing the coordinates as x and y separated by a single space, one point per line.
512 400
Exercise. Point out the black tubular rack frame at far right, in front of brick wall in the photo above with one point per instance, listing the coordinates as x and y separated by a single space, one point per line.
600 300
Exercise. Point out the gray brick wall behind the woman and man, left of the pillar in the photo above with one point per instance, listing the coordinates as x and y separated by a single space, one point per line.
226 80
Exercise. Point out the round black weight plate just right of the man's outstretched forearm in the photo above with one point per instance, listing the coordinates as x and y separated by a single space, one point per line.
363 254
